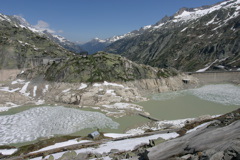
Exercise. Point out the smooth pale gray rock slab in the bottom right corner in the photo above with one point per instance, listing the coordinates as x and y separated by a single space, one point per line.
215 143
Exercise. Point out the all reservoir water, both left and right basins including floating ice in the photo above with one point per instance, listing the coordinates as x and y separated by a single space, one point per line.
23 124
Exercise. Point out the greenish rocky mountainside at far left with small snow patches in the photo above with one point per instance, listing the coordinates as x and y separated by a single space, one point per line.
23 46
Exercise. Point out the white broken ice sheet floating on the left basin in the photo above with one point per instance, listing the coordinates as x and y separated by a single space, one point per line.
46 121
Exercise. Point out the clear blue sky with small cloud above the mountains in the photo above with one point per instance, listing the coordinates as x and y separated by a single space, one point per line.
82 20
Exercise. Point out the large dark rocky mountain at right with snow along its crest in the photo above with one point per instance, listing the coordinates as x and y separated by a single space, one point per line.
193 39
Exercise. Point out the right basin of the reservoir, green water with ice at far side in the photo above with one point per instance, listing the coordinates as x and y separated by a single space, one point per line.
207 100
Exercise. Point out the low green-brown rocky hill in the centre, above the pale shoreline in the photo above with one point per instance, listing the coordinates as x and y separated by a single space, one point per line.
98 67
